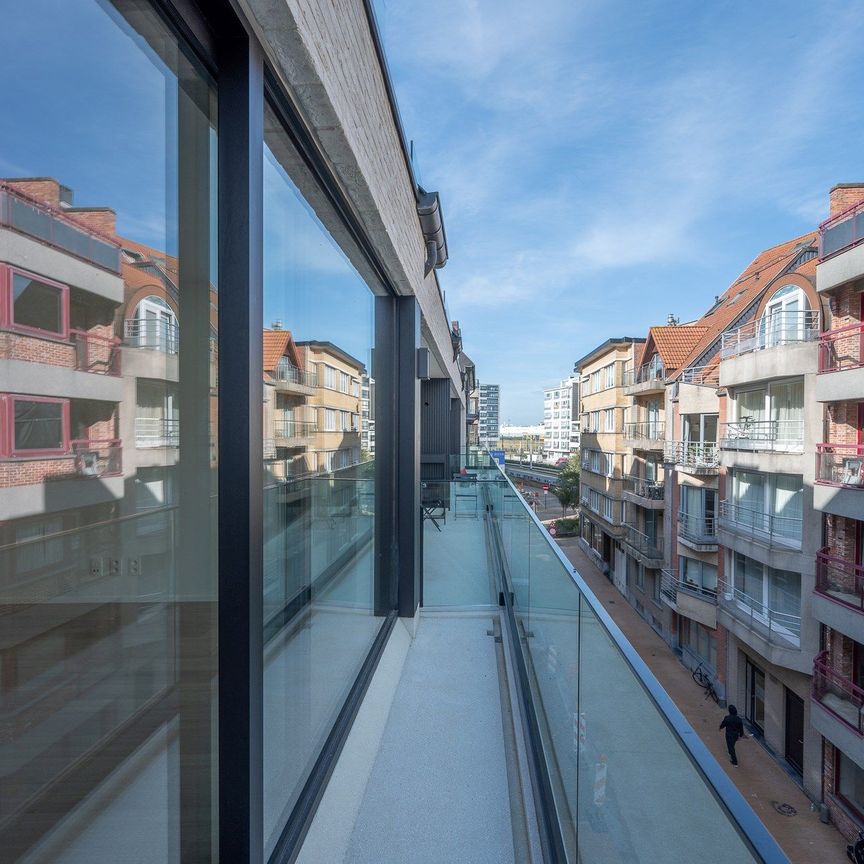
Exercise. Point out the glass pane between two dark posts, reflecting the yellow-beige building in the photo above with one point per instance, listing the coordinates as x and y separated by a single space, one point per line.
319 477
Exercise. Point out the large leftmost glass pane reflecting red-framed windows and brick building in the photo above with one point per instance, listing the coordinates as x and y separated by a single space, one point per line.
108 579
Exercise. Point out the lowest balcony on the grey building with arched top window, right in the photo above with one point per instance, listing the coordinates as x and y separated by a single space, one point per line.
773 633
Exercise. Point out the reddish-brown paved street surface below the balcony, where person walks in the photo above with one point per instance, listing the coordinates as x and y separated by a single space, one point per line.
758 777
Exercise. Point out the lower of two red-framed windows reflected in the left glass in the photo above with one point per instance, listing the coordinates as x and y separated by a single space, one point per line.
34 426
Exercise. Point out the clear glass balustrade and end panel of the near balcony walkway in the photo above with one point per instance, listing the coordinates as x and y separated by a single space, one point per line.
574 671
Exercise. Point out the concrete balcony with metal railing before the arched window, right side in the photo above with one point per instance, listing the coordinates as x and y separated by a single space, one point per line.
774 346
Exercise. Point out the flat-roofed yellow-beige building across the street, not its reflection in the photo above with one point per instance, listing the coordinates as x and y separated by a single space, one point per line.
602 408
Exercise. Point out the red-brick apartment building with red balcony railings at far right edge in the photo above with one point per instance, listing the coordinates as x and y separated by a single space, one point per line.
838 598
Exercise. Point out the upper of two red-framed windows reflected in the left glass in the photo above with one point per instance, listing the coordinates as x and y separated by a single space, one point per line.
33 304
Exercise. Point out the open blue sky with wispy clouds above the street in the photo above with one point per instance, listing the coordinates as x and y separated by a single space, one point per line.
603 163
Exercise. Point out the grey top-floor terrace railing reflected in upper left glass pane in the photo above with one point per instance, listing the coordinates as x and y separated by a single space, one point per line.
50 226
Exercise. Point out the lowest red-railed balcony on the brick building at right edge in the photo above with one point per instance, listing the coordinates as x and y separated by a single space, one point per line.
838 705
